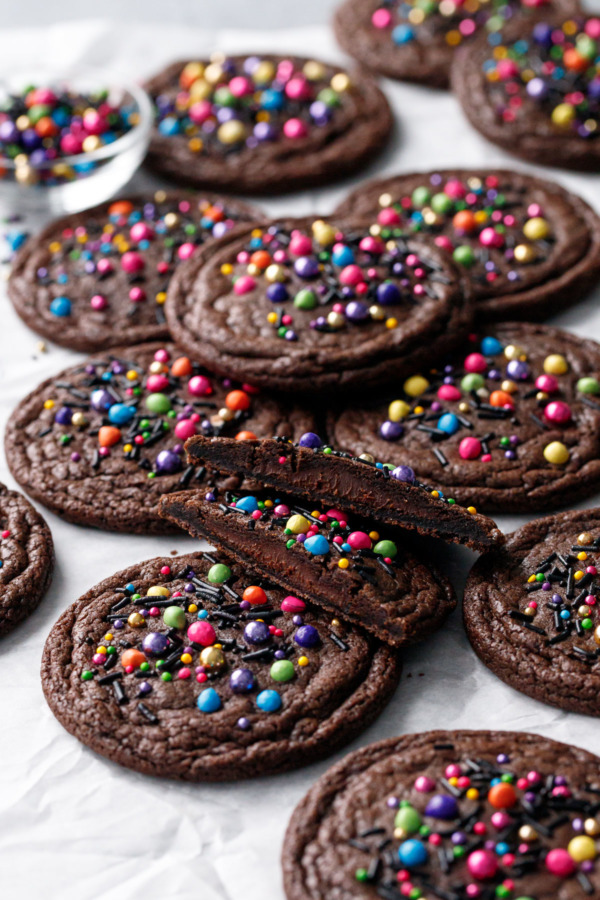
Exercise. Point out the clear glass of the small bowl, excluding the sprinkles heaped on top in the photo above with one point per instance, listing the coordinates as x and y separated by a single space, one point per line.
71 183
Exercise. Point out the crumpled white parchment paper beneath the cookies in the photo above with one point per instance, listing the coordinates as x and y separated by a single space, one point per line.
76 827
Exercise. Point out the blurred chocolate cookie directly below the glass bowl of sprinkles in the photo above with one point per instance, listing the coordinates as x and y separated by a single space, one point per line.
99 278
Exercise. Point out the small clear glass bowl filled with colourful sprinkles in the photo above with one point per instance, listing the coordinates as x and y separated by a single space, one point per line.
68 143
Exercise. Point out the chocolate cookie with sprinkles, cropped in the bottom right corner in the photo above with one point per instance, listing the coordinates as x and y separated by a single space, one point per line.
451 815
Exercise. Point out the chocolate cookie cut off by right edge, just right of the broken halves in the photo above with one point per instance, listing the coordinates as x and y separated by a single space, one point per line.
531 610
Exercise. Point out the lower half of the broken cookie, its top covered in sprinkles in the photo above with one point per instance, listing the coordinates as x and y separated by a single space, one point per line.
346 565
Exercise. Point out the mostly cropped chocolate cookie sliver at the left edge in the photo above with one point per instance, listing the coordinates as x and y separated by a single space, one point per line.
26 558
